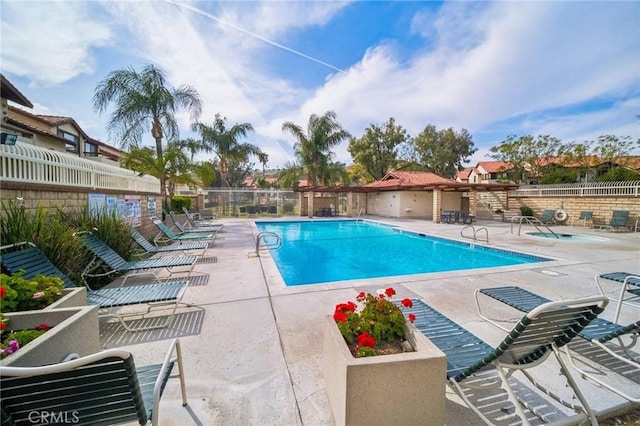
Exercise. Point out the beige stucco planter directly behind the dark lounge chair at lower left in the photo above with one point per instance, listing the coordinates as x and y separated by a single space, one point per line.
74 330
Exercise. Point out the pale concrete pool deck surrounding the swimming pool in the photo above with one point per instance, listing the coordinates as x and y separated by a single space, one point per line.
253 348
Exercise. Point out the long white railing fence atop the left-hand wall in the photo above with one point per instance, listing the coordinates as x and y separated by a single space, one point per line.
27 163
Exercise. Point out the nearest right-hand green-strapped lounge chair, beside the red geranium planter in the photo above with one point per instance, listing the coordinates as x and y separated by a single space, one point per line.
532 340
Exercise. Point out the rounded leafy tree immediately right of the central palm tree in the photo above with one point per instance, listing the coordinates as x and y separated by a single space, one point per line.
377 149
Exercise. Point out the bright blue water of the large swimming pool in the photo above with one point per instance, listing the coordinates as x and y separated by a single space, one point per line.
324 251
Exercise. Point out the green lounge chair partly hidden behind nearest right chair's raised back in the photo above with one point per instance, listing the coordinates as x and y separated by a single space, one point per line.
599 332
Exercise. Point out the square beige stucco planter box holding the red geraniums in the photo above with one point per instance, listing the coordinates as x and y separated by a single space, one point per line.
399 389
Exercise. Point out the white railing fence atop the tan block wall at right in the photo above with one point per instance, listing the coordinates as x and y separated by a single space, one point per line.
592 189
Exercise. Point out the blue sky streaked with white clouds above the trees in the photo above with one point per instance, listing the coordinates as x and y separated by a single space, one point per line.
569 69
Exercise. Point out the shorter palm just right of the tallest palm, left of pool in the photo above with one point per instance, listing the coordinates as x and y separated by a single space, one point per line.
225 143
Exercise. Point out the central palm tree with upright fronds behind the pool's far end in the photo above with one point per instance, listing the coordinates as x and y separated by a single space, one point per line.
313 147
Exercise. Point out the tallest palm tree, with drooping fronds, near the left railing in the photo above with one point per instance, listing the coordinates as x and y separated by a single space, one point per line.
142 101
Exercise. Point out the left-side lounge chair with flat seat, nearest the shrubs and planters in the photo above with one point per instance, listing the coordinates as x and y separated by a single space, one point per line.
166 294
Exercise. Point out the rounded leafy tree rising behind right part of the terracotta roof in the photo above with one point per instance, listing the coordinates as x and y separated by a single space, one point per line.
440 151
